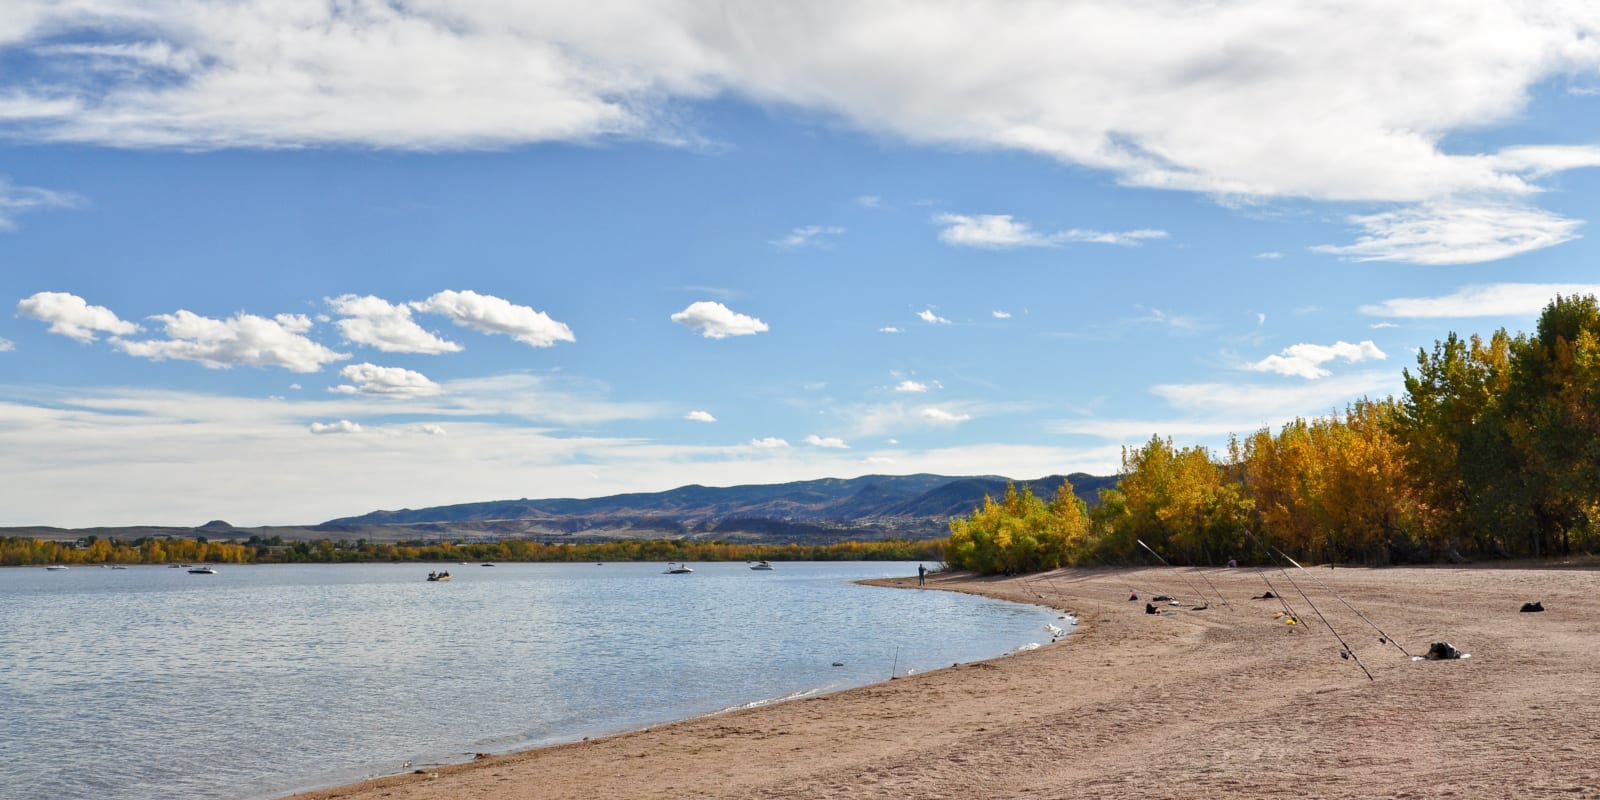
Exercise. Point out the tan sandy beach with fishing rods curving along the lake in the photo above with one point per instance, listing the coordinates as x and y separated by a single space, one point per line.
1226 702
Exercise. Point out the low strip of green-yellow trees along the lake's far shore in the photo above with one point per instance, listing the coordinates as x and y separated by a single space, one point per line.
17 551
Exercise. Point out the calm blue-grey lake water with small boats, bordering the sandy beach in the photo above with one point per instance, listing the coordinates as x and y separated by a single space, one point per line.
262 681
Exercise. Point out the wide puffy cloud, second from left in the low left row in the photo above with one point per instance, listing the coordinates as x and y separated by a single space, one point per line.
242 340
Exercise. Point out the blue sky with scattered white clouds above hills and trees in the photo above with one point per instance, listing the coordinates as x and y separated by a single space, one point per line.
276 263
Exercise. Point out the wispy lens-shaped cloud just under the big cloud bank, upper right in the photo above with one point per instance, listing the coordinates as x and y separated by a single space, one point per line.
1455 234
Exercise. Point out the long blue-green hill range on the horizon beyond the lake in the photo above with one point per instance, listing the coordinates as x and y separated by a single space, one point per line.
828 510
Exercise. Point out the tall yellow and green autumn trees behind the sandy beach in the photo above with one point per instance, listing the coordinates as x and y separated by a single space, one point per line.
1494 452
